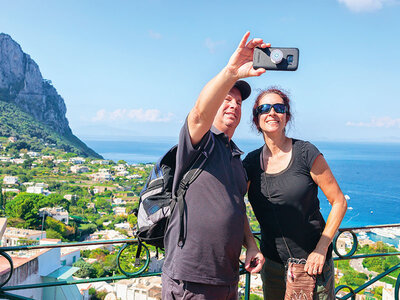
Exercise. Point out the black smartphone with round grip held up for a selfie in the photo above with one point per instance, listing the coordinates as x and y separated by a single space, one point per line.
276 58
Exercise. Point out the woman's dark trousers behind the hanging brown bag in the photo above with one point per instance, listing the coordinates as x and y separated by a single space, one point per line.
274 286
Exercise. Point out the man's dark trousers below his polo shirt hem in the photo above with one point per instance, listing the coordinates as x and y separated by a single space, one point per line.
184 290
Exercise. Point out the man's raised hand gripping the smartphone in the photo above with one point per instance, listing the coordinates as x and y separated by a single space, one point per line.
241 62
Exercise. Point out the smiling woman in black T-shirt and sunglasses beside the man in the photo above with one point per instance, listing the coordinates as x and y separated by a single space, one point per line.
284 176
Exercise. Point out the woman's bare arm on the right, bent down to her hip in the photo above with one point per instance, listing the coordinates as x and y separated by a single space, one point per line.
323 177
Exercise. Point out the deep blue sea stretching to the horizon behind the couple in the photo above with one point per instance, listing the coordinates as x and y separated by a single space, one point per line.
368 173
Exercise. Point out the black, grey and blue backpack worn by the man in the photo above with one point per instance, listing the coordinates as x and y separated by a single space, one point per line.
156 201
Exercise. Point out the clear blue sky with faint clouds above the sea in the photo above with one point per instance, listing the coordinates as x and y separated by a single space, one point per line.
133 69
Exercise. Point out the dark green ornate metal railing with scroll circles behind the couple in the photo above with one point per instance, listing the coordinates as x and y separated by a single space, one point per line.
141 262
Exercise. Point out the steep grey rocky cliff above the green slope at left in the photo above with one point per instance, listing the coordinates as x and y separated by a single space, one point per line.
22 84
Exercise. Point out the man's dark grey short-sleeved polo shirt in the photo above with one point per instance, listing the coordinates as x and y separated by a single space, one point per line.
214 215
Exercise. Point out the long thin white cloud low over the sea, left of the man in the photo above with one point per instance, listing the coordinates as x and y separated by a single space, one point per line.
134 115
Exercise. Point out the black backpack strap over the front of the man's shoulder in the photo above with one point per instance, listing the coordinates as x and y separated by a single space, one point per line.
189 177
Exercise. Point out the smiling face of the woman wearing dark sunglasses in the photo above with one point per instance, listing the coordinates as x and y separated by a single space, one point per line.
272 122
